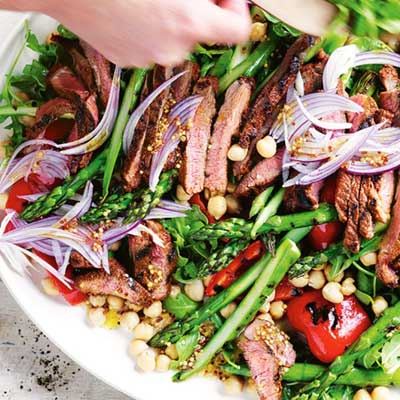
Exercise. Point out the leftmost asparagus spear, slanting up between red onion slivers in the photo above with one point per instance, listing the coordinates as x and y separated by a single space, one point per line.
59 195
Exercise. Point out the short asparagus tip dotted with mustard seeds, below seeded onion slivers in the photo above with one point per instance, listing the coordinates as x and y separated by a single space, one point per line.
141 206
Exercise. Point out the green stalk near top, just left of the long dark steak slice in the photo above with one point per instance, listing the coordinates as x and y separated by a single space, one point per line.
250 66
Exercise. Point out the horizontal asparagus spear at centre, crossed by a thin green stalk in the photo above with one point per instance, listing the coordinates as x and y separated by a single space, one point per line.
237 228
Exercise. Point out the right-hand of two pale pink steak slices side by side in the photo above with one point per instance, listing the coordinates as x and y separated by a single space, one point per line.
237 100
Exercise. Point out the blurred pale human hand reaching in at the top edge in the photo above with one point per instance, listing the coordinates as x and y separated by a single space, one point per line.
142 32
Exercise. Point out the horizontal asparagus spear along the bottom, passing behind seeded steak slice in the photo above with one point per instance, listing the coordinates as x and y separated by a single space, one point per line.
359 377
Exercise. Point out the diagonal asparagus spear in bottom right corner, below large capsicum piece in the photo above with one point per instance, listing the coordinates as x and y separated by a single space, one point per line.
377 333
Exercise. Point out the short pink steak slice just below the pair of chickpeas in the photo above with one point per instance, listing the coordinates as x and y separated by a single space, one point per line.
262 175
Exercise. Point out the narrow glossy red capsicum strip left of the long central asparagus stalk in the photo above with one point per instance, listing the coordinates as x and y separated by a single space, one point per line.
225 277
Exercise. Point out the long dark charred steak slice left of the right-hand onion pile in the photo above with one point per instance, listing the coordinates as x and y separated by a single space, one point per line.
267 104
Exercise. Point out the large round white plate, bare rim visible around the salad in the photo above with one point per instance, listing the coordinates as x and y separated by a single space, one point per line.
101 352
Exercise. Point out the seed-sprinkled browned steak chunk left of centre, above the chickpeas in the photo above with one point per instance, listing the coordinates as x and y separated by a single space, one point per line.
153 264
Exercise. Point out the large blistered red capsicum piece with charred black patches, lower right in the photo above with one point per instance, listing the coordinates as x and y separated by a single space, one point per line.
329 328
